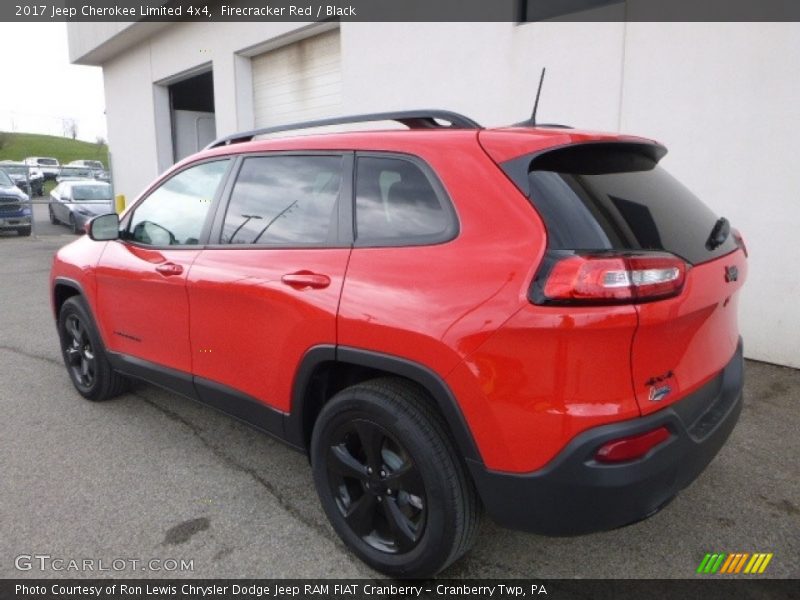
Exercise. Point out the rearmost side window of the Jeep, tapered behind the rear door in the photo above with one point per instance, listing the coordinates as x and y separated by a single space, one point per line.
395 201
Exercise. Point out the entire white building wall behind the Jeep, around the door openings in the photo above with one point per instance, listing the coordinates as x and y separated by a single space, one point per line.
722 97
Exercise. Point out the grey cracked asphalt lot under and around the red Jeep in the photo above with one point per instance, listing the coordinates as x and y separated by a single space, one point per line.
152 476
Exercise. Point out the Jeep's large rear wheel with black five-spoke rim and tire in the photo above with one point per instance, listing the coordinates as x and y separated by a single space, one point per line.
415 512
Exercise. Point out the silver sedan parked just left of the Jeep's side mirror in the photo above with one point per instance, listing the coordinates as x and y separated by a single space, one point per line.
75 203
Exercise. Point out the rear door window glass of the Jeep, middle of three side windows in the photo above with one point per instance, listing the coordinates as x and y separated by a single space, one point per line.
284 200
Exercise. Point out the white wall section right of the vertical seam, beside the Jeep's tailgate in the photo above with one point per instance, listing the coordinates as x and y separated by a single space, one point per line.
725 99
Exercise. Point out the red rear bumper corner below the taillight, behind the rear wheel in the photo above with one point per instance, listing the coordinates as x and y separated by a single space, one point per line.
547 375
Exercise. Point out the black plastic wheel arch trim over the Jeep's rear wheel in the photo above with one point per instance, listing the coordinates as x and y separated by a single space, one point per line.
428 379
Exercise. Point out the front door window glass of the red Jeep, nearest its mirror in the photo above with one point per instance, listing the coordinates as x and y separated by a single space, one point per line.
175 212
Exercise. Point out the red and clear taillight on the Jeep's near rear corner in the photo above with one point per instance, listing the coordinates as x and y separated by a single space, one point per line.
599 279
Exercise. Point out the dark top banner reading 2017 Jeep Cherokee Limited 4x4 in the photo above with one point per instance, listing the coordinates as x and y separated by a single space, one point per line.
510 11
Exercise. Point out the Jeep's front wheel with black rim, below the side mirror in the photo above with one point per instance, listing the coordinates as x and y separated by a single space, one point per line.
84 354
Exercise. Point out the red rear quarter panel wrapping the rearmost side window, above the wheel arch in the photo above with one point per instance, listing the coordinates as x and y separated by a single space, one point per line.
436 304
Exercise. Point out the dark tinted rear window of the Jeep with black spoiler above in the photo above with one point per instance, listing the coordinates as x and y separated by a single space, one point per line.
599 197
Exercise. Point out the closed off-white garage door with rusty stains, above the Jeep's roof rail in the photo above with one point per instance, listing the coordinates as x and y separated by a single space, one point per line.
298 82
